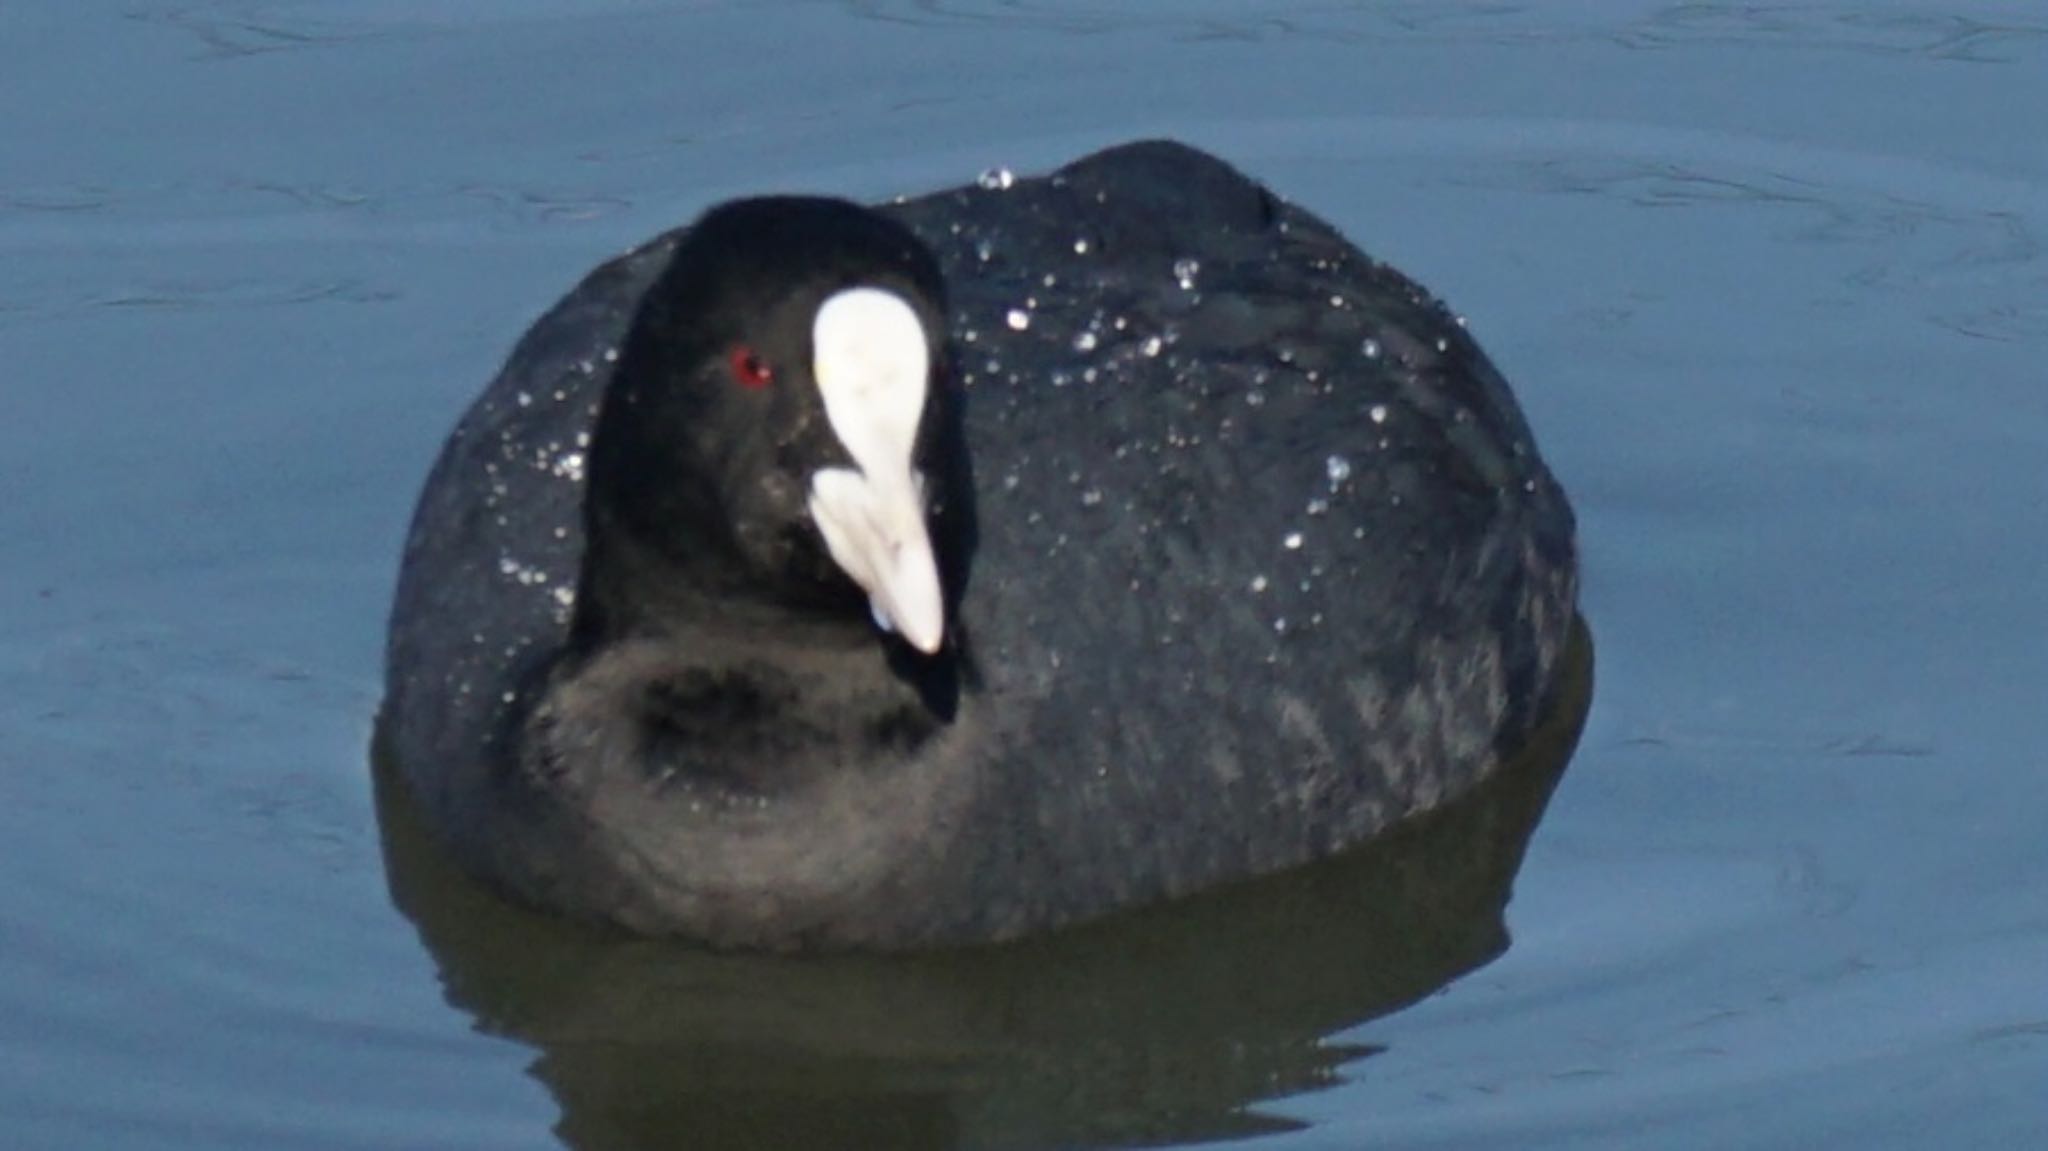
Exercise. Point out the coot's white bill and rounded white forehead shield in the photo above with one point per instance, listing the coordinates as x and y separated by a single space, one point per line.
873 372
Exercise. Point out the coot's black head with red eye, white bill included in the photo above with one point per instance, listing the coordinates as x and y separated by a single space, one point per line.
722 468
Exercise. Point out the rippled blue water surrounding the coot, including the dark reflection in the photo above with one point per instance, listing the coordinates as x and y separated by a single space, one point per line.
1768 280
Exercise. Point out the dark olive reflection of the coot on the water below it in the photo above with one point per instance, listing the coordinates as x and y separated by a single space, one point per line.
1164 1025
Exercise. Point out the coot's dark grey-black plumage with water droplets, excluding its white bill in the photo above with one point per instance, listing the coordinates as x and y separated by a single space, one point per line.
1246 548
